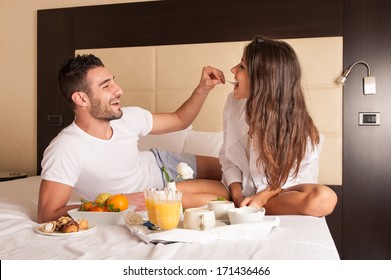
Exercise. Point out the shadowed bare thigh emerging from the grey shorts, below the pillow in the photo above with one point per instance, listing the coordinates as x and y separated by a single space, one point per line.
208 168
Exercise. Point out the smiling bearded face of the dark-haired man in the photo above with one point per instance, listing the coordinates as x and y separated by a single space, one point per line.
105 95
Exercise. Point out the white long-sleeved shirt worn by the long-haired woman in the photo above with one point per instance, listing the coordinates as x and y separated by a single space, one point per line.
239 161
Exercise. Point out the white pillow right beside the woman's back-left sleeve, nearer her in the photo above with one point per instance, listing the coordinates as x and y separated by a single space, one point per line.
204 143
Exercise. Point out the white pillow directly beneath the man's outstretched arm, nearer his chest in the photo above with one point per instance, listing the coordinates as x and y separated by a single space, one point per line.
173 141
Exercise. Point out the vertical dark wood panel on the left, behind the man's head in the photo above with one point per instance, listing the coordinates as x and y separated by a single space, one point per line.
55 43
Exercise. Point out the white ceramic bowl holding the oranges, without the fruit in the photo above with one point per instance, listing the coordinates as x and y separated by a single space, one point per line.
103 218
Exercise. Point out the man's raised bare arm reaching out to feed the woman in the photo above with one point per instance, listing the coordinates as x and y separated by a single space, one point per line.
188 111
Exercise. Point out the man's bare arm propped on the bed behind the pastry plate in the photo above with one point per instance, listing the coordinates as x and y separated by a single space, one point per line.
52 201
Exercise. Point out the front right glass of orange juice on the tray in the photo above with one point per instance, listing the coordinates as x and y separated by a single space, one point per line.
168 208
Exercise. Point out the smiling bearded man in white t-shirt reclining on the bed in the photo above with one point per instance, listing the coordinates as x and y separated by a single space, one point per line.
98 152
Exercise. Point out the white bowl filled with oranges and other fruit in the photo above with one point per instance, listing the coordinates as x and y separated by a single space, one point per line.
106 209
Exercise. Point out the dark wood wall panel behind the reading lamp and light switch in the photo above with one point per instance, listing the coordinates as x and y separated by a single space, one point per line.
367 150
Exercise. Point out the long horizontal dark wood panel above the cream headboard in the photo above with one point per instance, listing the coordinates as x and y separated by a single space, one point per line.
184 22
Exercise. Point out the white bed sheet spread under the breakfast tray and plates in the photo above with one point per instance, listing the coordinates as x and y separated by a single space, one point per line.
297 237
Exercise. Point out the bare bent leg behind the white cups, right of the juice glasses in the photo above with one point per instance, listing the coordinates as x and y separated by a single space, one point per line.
198 192
